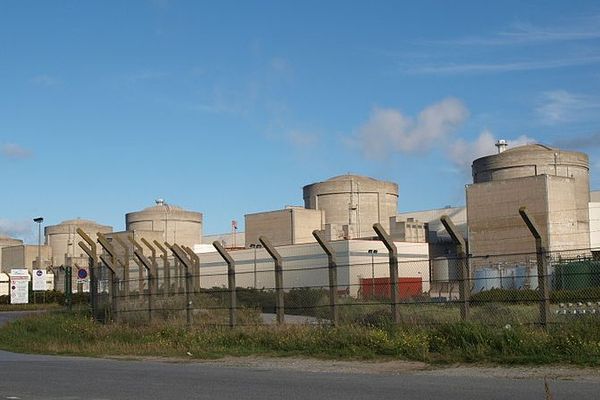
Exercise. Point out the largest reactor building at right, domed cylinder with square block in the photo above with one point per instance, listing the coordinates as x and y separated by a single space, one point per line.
554 186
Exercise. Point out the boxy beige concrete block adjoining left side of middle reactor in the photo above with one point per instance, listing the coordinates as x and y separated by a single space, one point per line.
292 225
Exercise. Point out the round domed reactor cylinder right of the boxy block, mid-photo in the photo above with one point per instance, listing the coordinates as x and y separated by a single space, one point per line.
354 201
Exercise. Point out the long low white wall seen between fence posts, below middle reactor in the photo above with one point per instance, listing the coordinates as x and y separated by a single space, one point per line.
306 265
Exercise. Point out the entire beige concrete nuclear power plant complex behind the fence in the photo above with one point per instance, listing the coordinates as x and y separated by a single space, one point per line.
553 185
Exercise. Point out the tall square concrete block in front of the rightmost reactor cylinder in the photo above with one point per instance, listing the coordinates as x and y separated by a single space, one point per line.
495 226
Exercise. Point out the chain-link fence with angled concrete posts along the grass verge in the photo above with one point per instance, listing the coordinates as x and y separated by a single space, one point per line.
355 288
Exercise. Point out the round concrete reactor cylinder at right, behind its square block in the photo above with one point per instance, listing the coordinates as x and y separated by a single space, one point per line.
538 159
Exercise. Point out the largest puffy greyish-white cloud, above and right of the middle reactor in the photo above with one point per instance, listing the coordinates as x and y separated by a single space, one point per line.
388 130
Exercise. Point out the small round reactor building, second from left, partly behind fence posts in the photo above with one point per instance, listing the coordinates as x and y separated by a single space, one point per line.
63 238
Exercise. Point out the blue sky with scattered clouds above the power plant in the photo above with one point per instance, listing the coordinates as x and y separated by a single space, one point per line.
231 107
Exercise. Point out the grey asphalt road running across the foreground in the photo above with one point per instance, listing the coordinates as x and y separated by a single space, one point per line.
25 376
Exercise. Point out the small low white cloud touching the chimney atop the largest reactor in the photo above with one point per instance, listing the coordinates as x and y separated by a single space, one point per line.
462 153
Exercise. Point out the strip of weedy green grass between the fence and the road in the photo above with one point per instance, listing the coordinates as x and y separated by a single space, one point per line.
575 343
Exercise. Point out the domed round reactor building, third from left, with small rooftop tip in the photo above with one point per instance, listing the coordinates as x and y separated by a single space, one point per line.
178 225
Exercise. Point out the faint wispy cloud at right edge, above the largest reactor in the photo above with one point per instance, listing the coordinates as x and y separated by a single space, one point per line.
560 106
